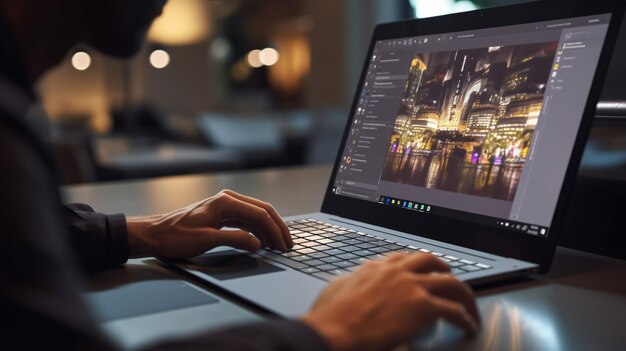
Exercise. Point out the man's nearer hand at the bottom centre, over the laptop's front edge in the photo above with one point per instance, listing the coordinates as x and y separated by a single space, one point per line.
388 302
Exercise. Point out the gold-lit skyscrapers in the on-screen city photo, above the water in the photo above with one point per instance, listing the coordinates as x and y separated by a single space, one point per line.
480 99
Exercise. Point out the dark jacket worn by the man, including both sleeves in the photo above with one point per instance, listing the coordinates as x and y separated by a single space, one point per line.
47 247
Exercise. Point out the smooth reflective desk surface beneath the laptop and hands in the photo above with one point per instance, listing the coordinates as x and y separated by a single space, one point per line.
579 305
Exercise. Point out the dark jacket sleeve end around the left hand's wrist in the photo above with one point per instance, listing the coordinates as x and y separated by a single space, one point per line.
100 241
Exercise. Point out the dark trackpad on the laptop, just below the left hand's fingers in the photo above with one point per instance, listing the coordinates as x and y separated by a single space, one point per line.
230 264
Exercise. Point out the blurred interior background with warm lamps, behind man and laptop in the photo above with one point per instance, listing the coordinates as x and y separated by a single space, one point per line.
241 84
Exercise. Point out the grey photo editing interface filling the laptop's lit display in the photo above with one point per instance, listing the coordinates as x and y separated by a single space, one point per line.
475 125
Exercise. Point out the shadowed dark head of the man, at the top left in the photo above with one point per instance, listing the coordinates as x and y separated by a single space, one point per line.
44 31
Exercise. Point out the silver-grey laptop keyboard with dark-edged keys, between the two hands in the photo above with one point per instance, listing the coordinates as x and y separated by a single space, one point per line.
325 251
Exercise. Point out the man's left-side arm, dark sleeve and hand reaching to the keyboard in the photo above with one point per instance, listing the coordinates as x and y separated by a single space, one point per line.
104 241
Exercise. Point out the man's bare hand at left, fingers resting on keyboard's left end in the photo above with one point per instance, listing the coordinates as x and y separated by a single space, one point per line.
195 229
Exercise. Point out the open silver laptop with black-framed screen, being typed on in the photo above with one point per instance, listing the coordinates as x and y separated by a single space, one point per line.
463 141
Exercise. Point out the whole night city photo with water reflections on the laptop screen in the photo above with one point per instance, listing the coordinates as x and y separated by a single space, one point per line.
467 118
